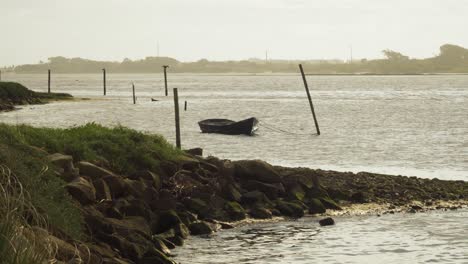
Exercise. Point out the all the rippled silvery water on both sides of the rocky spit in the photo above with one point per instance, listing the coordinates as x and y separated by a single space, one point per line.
409 125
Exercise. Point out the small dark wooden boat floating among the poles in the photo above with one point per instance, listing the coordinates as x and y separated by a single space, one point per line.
229 127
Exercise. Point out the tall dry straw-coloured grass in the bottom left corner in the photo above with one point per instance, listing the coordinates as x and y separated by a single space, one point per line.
19 243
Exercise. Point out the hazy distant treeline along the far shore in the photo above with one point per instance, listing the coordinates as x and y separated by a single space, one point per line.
451 59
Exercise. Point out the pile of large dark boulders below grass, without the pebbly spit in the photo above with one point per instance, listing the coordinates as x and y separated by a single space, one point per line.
138 218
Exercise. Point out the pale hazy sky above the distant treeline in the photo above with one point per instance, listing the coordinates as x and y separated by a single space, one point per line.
33 30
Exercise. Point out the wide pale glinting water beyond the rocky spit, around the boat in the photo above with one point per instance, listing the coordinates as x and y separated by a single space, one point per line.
410 125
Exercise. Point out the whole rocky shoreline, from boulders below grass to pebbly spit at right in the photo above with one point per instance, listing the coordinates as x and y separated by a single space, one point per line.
138 218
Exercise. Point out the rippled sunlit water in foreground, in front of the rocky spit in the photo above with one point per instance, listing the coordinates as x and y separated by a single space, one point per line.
439 237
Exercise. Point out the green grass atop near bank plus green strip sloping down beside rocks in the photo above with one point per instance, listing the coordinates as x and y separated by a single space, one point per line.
124 150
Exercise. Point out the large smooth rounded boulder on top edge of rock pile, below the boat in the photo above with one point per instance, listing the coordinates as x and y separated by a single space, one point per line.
256 170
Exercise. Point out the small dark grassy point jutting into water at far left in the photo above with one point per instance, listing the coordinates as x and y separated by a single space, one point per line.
12 94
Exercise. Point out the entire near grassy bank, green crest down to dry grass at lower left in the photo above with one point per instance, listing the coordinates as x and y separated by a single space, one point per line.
33 194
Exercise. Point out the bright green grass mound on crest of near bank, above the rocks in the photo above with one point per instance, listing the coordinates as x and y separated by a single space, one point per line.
123 149
